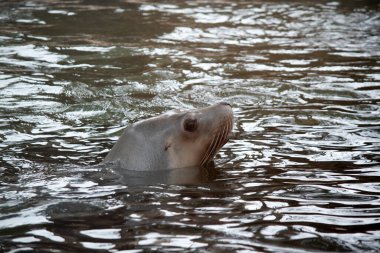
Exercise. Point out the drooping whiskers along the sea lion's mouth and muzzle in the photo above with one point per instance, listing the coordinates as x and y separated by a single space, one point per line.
220 136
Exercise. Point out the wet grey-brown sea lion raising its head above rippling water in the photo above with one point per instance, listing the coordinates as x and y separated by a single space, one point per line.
176 139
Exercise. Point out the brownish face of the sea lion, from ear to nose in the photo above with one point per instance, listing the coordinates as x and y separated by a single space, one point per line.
199 135
